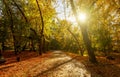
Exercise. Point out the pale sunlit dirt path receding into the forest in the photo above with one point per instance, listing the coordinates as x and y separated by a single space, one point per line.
61 65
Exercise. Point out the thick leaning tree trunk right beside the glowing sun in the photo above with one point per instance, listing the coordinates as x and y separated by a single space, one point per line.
86 40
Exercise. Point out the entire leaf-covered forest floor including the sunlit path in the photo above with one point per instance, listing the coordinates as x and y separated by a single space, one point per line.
58 64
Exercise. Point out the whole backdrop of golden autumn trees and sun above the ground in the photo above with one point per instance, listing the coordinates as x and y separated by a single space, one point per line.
78 26
